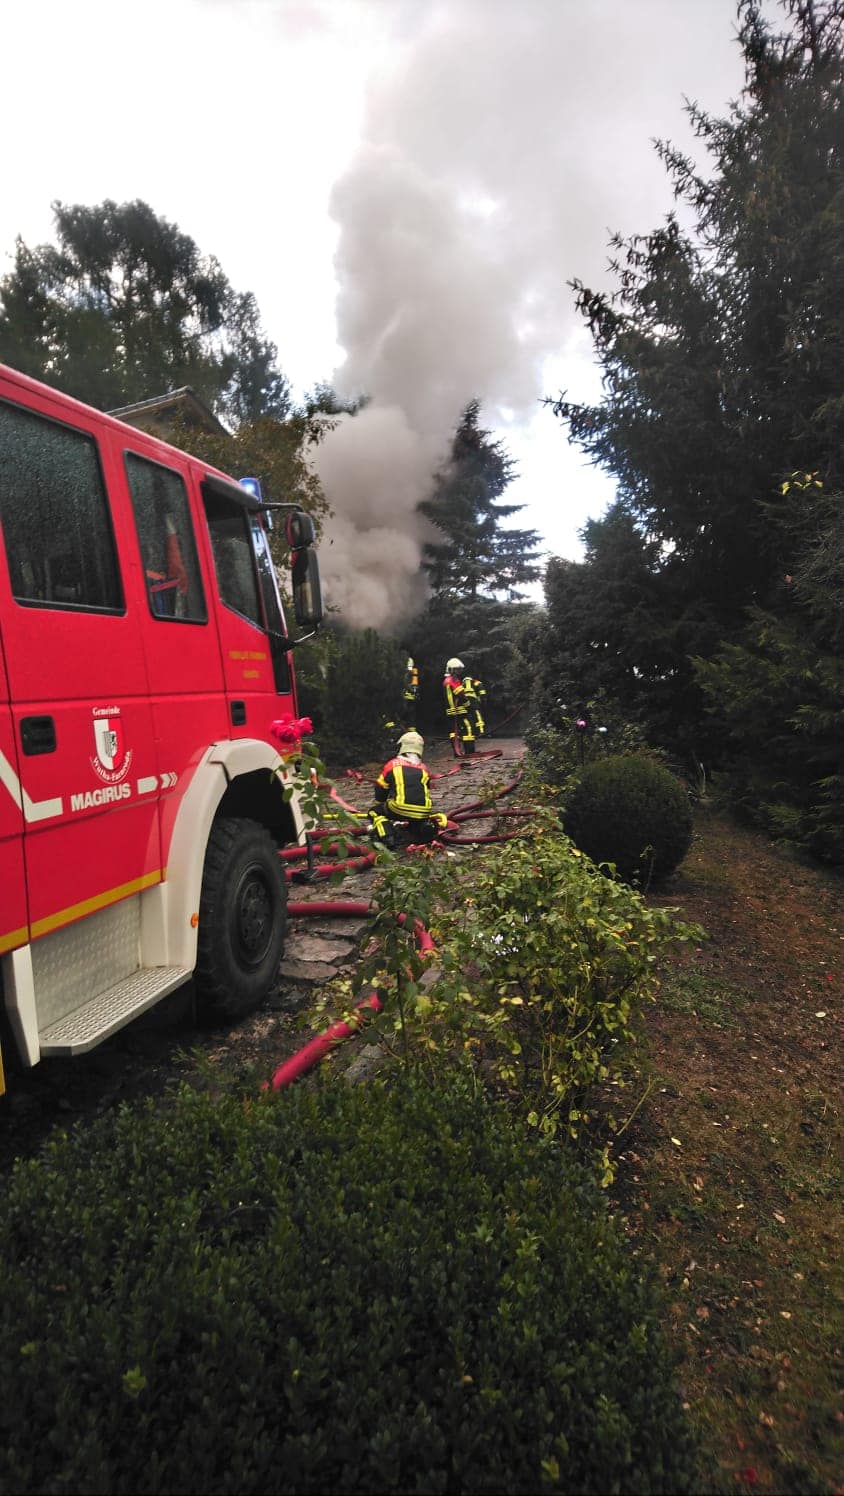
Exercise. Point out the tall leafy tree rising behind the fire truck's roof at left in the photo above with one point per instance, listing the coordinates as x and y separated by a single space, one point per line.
125 307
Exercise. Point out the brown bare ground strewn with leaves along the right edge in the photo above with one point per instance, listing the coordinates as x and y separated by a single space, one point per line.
730 1174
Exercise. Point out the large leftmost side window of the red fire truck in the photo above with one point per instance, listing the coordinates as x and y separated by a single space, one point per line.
56 517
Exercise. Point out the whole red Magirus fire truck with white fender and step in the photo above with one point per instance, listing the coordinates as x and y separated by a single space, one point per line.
143 657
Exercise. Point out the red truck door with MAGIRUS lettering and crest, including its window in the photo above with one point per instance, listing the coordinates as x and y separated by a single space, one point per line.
76 671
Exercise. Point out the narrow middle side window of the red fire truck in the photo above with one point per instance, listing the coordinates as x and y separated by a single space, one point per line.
168 547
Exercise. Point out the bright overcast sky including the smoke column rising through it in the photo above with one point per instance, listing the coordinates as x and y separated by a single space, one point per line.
406 186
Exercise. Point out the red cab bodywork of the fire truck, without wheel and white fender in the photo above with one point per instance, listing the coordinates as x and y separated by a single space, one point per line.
107 711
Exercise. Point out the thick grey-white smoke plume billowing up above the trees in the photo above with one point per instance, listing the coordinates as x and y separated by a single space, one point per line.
492 170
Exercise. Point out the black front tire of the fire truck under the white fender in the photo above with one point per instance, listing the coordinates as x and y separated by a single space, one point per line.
243 919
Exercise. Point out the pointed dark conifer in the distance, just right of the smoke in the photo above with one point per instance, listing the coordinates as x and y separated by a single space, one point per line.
475 557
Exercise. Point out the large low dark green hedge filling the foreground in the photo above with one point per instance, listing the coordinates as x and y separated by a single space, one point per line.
384 1289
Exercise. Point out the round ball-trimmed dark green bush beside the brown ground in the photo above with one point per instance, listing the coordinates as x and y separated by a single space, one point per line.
634 813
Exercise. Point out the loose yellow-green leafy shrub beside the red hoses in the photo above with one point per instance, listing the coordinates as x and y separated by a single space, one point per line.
542 970
